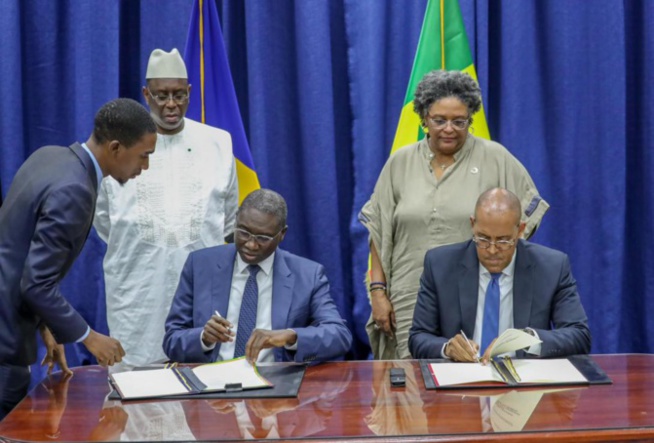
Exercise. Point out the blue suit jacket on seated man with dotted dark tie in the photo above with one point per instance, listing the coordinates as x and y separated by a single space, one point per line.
300 301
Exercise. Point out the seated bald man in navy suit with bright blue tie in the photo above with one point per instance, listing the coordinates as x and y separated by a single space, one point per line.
494 282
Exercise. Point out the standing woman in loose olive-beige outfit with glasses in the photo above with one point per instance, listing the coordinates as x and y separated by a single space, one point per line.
424 198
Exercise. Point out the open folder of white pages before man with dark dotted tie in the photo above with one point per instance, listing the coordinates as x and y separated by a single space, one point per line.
236 375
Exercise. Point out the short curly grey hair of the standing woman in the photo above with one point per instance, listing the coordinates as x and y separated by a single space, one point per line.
437 85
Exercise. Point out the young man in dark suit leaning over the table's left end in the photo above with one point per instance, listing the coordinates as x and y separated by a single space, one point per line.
44 223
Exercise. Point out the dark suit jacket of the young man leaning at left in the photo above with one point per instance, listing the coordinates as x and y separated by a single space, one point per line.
44 222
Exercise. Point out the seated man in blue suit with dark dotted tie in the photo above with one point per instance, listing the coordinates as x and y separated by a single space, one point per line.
254 299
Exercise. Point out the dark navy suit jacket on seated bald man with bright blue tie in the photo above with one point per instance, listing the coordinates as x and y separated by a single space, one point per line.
545 298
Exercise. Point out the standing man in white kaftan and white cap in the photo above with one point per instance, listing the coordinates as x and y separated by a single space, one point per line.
187 200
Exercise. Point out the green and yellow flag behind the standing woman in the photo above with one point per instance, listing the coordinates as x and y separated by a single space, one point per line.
443 44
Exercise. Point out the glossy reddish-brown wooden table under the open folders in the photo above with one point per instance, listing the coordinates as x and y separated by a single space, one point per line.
348 401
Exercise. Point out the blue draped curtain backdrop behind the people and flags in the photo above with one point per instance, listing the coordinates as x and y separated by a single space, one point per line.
567 89
